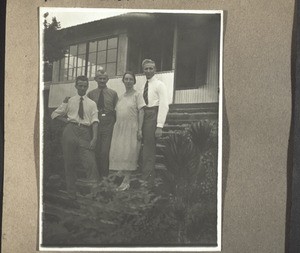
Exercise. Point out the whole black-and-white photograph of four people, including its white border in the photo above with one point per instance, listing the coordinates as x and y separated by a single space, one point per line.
130 129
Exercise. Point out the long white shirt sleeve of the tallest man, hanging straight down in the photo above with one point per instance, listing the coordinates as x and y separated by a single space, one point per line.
163 106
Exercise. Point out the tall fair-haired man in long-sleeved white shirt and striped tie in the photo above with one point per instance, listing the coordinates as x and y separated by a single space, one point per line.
155 113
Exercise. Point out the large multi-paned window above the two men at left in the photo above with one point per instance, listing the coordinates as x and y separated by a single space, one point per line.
86 58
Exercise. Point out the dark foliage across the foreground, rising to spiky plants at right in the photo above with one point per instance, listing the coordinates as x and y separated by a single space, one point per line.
180 209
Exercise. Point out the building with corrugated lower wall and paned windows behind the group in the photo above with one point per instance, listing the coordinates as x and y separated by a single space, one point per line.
185 47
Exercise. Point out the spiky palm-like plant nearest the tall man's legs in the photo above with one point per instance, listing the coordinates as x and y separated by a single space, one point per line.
181 159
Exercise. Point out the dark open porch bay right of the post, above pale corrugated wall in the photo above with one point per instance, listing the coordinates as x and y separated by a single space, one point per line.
197 52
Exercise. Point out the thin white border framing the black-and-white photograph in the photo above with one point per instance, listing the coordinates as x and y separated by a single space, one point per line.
220 133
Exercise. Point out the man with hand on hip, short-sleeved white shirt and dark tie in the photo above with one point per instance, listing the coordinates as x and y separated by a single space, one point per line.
81 114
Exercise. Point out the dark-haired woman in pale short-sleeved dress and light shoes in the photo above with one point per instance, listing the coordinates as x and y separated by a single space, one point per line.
127 134
